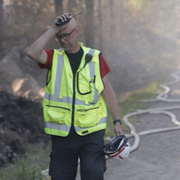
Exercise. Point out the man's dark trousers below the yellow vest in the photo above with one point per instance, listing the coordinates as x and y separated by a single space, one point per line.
65 153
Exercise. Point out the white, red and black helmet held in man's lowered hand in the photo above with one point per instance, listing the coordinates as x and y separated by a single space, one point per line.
117 147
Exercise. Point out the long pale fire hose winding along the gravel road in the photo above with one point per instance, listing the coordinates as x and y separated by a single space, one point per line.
163 110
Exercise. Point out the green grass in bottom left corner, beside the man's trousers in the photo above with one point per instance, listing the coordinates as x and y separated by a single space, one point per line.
29 167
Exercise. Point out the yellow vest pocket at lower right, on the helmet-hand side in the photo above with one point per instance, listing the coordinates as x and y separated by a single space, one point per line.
88 118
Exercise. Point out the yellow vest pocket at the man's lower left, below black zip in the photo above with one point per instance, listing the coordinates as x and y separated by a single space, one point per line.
57 114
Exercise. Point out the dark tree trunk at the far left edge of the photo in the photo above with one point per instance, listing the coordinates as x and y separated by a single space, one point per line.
1 29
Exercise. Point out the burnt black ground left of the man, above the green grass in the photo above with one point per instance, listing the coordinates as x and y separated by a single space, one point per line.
21 124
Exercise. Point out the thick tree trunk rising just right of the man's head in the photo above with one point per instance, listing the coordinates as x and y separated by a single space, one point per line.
89 29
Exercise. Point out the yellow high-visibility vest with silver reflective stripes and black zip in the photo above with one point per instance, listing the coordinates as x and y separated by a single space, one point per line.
66 95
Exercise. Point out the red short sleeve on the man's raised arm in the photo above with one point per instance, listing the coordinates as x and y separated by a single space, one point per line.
48 64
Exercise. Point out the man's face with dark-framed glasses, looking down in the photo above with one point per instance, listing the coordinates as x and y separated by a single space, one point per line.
67 38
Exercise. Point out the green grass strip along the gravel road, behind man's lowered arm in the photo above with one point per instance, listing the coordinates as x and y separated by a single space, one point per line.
130 103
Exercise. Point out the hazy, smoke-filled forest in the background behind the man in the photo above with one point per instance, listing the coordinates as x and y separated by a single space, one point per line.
138 38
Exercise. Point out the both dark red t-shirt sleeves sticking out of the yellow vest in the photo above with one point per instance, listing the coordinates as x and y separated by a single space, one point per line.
105 69
